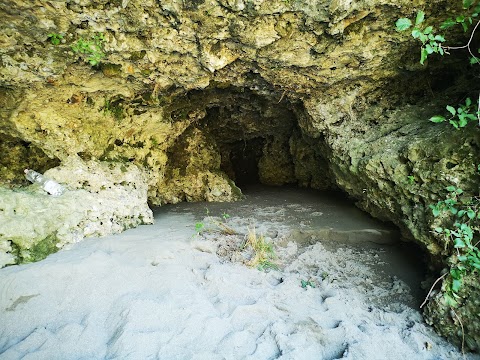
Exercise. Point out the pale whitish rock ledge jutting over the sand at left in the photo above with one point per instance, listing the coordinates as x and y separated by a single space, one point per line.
100 199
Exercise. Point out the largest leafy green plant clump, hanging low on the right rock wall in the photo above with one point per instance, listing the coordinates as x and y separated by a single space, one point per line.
462 216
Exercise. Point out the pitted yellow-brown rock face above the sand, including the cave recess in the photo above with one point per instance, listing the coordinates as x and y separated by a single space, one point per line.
198 94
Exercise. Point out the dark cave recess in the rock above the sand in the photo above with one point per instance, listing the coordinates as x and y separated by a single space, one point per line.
259 139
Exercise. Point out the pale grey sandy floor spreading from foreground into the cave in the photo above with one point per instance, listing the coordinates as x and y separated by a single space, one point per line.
165 292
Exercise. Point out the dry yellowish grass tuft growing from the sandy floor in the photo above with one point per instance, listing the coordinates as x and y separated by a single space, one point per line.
263 253
